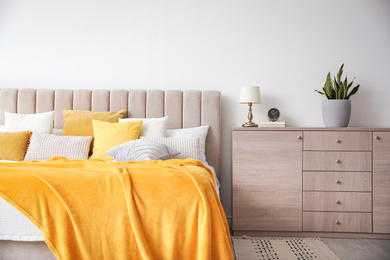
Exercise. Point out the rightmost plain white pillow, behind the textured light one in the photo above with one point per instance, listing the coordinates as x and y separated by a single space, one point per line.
199 132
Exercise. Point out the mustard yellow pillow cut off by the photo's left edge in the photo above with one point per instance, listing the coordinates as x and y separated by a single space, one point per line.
13 145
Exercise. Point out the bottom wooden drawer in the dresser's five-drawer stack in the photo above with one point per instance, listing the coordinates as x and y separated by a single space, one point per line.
337 222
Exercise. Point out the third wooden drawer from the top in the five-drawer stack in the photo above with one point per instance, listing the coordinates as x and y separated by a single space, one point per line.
337 181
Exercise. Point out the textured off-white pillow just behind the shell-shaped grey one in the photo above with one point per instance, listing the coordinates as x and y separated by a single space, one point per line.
188 147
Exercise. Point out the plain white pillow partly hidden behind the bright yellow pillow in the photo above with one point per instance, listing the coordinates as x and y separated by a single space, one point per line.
150 126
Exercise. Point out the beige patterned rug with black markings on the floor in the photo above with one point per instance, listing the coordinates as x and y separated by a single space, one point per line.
259 248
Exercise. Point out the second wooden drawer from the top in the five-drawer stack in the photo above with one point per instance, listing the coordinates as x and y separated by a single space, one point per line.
337 161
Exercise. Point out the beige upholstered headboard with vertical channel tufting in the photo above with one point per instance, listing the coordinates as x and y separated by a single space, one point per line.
184 109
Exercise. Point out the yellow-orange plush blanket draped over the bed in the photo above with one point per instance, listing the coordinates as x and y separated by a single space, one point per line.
105 210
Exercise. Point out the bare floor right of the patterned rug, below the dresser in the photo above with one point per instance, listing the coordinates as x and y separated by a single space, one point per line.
359 249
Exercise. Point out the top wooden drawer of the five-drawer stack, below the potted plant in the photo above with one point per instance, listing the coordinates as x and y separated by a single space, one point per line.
337 141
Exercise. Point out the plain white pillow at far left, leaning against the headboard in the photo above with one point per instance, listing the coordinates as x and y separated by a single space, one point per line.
40 122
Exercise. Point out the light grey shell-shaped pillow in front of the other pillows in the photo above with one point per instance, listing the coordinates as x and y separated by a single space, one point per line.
140 150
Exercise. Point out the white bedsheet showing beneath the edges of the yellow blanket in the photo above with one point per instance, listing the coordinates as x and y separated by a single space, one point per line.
15 226
